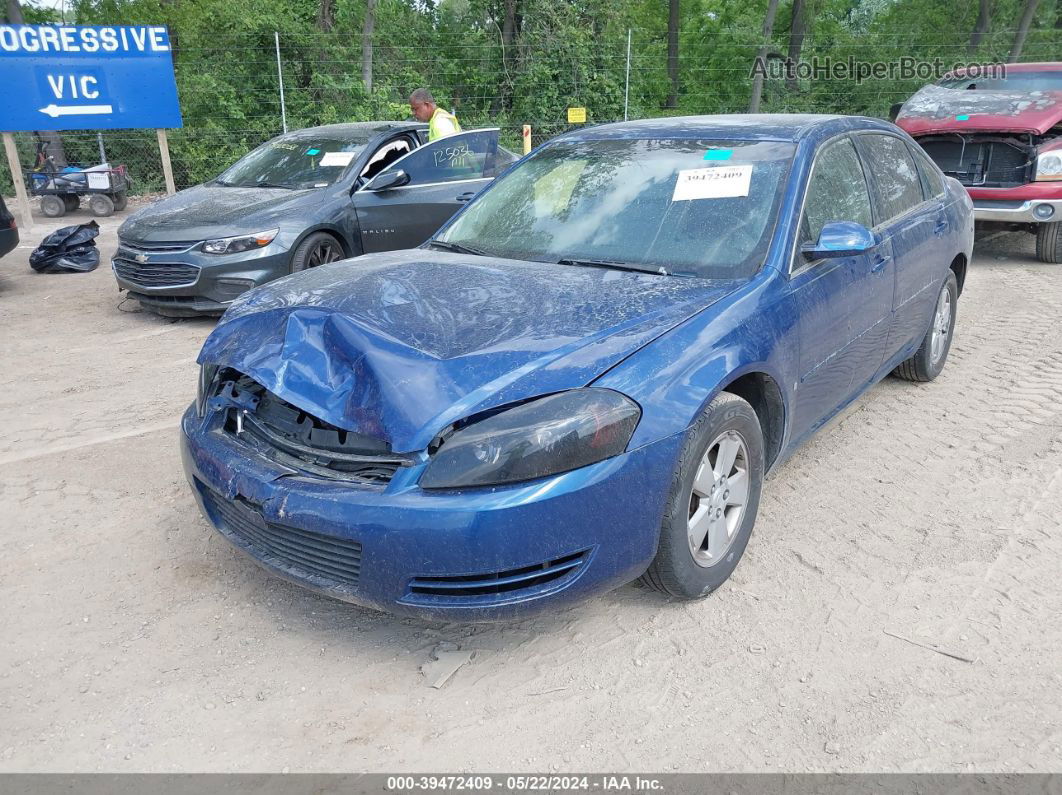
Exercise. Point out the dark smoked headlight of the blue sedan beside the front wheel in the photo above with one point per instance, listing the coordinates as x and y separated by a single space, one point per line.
545 437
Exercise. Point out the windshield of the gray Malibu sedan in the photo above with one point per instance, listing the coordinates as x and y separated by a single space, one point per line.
295 163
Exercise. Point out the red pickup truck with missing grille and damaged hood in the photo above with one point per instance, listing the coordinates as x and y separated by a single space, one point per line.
1001 137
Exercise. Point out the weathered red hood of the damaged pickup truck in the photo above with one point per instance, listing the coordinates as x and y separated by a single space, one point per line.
935 109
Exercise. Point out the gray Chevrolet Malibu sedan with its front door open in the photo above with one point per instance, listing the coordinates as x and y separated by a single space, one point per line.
304 199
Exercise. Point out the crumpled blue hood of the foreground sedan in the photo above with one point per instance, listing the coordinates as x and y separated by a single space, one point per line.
401 344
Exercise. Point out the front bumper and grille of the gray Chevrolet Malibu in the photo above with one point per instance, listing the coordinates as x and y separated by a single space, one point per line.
186 282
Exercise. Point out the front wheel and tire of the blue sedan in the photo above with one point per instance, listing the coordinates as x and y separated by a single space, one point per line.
713 503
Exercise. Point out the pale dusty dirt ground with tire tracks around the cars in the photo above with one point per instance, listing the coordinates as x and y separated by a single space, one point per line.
899 609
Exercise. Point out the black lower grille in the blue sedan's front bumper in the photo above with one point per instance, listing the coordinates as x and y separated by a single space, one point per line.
332 561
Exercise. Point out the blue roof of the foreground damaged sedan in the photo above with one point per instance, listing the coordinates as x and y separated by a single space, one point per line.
761 127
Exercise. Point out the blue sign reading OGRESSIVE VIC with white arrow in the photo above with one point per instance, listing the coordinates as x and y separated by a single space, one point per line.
77 77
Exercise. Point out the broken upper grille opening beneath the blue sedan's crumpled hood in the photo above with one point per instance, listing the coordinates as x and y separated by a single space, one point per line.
298 439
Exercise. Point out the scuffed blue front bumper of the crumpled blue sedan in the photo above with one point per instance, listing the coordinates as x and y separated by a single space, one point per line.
470 556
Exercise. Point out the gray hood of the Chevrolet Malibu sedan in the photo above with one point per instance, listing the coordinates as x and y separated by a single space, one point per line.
213 212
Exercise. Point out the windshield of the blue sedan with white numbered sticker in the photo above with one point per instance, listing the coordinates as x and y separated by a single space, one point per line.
697 209
